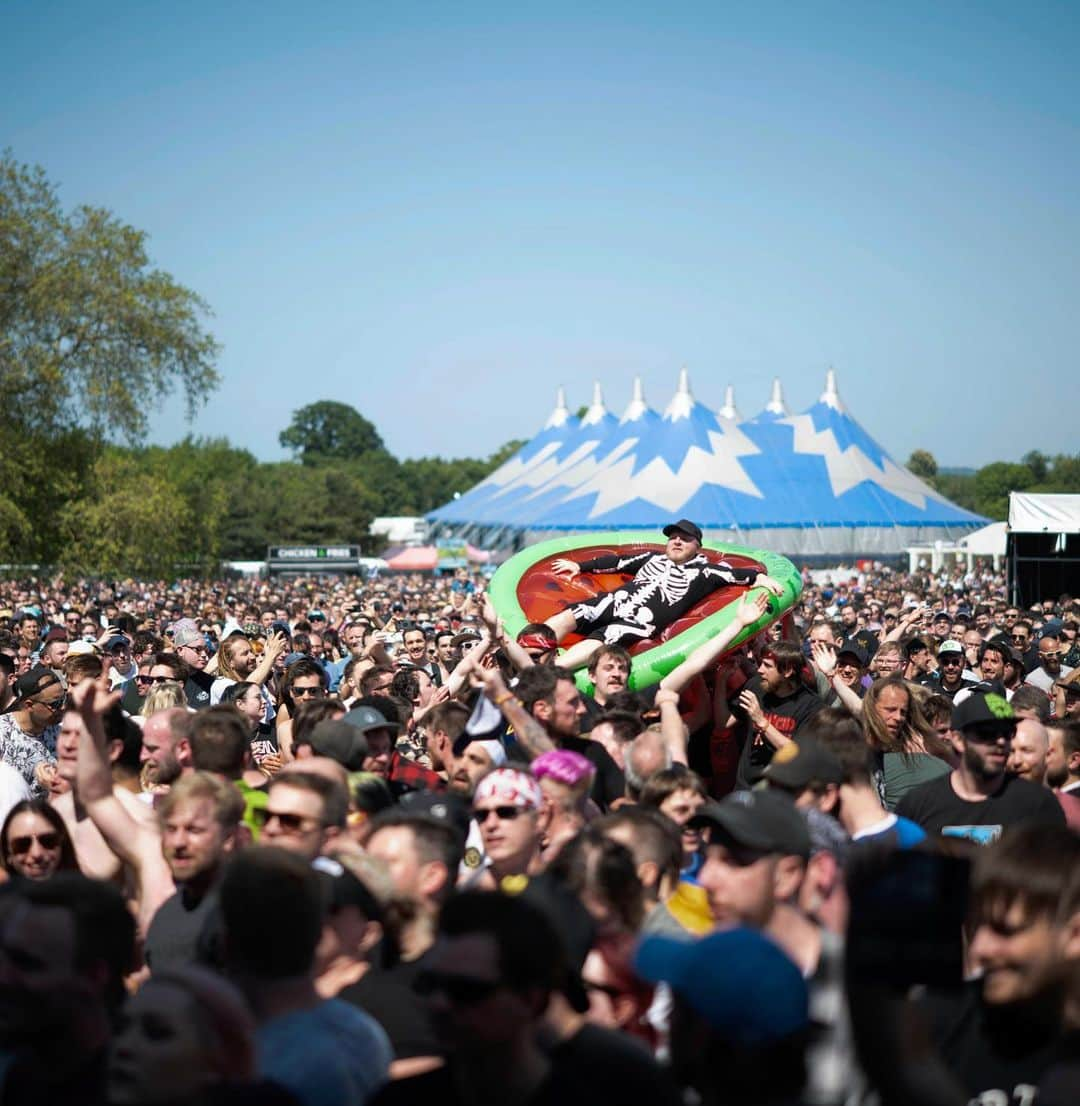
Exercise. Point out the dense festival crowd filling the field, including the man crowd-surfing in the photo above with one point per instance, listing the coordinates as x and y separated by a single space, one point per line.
340 841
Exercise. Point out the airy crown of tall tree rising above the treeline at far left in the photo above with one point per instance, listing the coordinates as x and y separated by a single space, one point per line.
91 336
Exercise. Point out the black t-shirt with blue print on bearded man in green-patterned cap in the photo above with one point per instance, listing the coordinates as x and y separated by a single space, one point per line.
939 810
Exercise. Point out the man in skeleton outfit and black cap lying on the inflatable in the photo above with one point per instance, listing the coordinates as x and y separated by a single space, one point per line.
666 587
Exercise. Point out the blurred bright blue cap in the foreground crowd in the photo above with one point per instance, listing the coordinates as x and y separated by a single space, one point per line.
738 980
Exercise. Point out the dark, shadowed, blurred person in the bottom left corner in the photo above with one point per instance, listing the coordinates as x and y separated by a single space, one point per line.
66 945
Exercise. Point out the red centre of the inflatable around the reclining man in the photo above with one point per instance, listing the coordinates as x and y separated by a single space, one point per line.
542 594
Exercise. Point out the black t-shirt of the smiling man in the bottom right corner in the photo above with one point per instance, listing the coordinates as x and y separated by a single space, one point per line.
992 1051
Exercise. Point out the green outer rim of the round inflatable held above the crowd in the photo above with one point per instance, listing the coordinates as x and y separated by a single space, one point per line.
652 666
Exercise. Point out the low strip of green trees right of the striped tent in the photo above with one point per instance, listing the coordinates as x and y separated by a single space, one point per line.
988 491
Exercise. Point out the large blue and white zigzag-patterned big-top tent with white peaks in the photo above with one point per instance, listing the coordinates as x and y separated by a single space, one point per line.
808 485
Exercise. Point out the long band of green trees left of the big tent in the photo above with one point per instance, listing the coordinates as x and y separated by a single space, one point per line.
87 506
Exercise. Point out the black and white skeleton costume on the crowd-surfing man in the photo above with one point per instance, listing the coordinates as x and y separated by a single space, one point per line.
660 593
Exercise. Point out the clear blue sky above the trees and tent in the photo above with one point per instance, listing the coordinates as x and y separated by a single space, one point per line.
439 213
